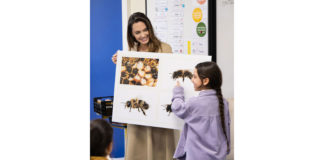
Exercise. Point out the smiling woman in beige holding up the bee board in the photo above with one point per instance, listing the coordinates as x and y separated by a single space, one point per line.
147 143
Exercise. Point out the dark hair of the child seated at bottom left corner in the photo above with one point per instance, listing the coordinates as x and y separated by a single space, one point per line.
101 134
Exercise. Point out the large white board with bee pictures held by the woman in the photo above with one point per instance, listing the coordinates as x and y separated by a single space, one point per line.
143 87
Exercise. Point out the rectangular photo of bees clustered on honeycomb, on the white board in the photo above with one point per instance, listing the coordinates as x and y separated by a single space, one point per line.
139 71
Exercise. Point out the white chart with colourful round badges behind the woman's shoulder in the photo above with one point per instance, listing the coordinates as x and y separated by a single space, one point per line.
181 23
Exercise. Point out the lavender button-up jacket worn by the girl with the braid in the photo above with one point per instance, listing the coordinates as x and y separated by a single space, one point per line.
202 137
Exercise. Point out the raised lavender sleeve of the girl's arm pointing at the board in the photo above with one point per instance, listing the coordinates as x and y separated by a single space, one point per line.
179 107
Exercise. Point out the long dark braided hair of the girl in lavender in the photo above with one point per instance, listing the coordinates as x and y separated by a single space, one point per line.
211 71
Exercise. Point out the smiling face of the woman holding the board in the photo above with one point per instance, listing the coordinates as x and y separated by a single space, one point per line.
141 33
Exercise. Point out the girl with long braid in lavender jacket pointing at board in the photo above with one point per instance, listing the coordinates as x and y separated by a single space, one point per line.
206 133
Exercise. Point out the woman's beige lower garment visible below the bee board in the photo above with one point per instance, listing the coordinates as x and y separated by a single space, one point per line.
150 143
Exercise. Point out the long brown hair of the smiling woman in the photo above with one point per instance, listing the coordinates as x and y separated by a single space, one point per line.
154 43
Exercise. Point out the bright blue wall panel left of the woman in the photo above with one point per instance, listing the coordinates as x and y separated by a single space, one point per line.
105 40
